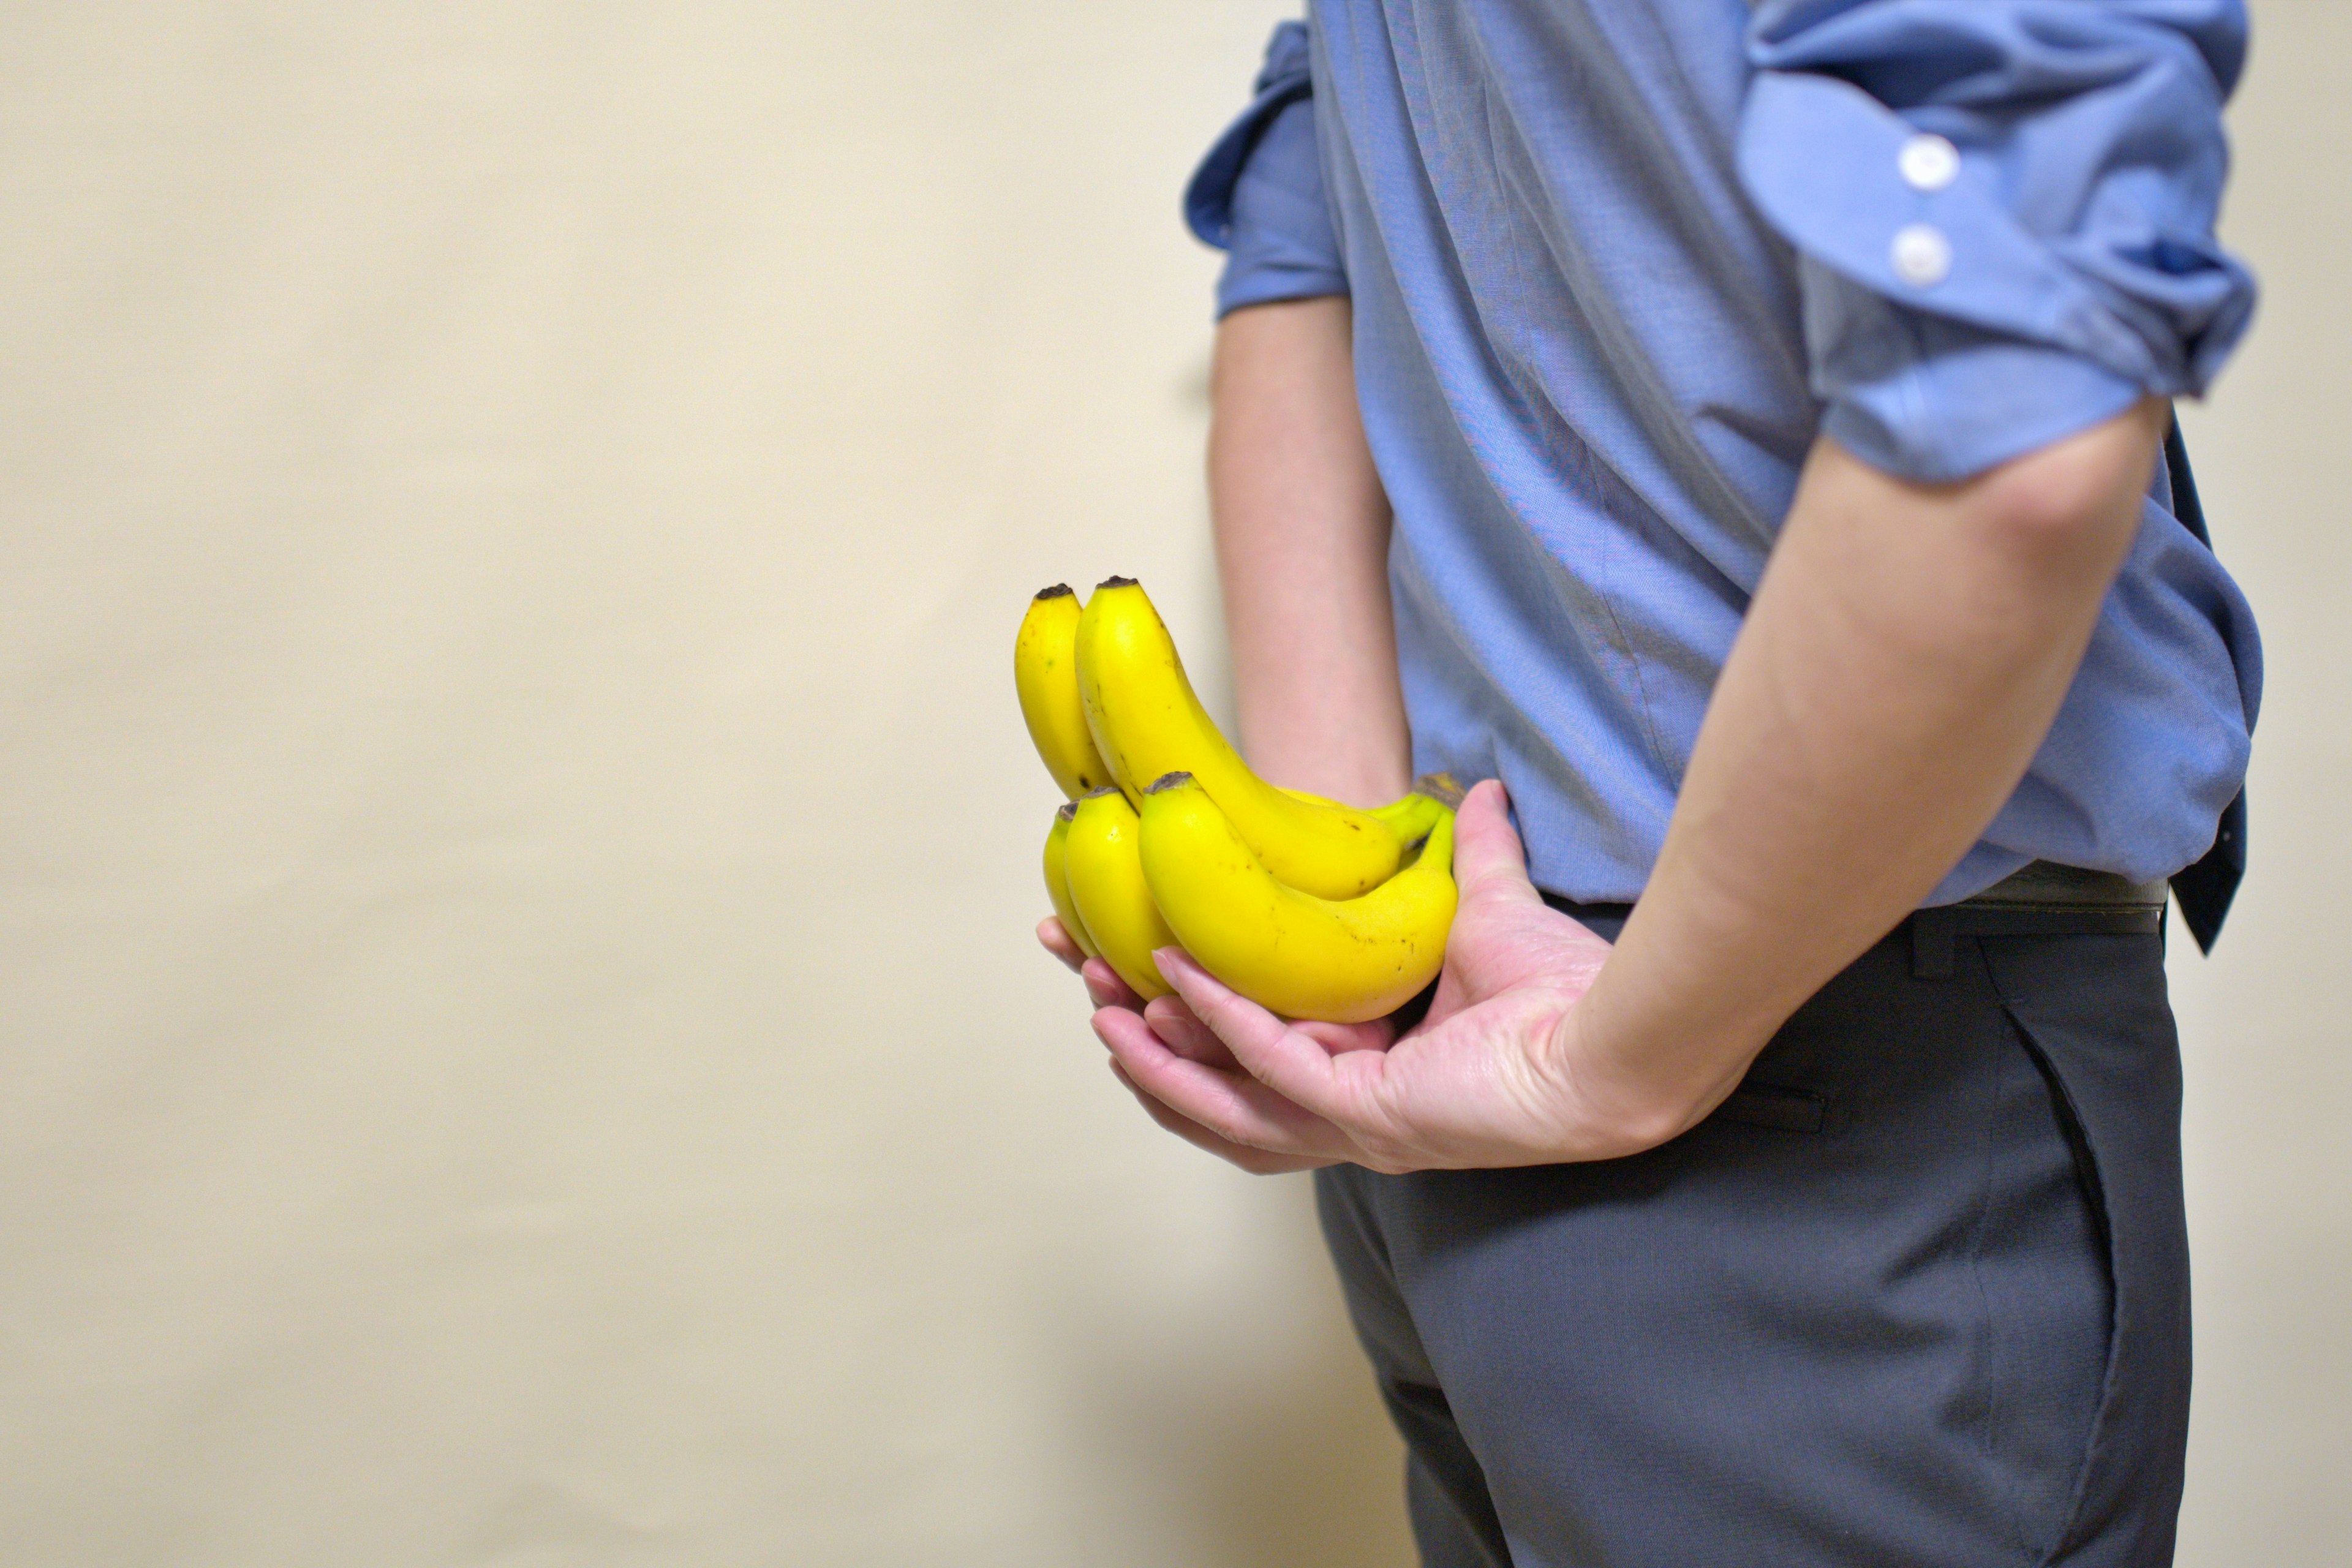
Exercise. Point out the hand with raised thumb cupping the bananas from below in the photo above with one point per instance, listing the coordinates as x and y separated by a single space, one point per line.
1497 1076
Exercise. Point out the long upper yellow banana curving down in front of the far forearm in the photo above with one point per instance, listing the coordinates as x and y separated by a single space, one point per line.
1147 723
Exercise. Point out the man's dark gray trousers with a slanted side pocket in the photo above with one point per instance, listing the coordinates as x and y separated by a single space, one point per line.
1916 1296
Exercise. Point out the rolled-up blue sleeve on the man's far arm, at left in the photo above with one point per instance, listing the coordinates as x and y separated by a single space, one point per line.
1259 192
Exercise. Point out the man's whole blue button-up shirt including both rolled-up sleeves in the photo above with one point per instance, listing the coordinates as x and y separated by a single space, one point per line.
1615 264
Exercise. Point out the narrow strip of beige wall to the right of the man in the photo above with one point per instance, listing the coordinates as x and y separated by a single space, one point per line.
2264 1024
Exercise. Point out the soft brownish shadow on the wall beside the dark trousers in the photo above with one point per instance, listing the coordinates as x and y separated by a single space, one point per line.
1250 1435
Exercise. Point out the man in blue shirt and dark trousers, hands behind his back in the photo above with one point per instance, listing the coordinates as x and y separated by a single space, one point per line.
1735 431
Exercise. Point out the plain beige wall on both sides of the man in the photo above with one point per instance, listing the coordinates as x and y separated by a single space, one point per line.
516 845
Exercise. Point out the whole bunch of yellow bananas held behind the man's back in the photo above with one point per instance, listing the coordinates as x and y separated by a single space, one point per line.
1307 906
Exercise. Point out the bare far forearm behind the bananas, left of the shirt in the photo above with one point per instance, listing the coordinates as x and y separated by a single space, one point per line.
1302 544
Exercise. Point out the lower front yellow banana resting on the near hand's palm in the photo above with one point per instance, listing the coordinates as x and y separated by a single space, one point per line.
1342 960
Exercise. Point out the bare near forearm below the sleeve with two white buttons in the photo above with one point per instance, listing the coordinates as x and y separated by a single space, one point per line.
1897 674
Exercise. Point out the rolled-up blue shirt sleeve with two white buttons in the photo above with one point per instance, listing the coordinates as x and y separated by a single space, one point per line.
2003 213
